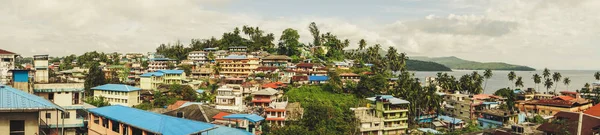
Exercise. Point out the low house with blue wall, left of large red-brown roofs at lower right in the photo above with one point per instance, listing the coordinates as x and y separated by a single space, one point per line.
495 118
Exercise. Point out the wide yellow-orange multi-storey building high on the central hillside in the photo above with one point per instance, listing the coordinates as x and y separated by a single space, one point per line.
237 65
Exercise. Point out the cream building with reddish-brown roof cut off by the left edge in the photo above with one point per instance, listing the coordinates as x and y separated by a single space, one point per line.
7 62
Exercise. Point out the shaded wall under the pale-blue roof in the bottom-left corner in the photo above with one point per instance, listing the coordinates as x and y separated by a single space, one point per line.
30 118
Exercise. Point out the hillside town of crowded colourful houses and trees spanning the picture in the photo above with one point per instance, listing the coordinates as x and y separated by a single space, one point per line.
237 91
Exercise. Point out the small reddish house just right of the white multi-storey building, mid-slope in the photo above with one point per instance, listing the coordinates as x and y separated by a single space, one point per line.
265 97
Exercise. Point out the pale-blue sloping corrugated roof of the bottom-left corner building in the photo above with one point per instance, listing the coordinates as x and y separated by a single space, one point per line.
14 99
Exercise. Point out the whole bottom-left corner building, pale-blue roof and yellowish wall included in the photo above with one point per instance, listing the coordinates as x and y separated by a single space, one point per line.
19 112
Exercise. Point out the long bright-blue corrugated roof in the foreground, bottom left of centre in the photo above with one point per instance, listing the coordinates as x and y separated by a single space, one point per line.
158 123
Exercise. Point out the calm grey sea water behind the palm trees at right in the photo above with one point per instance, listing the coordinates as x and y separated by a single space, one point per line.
500 79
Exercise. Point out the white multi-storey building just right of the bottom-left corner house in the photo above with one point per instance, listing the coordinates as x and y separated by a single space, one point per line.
69 96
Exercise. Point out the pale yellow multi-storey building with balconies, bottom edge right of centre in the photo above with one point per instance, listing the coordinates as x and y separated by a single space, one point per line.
385 115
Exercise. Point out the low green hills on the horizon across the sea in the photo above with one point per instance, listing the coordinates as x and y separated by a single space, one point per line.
457 63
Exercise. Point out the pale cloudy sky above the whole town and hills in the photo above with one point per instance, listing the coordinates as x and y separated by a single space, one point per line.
557 34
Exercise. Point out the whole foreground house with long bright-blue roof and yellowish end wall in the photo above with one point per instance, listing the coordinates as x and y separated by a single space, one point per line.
118 119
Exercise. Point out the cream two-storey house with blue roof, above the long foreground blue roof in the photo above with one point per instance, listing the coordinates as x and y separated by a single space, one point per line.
118 94
